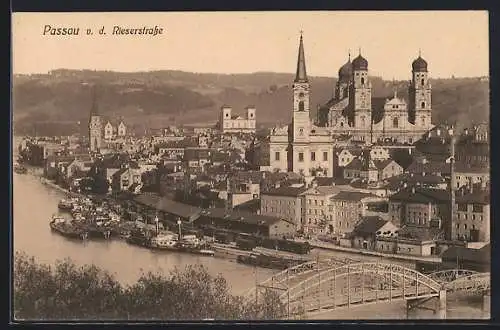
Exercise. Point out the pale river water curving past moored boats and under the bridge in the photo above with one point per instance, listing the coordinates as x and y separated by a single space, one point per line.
34 203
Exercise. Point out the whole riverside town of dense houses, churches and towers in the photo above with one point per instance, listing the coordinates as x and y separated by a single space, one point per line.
393 185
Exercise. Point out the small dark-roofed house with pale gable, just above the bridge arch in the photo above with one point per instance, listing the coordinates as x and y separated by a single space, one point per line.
365 234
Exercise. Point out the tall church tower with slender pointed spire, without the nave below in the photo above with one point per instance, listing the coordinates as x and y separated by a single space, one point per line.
301 90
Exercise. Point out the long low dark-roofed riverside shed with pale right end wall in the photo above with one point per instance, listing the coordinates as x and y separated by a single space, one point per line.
245 222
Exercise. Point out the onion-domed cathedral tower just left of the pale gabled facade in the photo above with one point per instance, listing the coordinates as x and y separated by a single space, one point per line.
361 94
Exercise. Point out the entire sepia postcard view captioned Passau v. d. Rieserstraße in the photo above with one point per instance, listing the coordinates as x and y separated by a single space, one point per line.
244 166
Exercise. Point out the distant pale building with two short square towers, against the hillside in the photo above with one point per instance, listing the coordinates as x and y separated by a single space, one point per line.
230 123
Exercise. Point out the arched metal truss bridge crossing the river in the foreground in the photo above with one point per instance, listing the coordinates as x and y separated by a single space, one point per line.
320 286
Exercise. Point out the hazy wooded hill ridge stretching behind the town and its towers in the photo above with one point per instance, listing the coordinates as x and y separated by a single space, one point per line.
155 99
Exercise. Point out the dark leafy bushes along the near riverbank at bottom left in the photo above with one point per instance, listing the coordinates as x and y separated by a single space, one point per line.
68 292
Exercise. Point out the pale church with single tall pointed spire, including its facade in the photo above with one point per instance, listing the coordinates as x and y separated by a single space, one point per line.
301 147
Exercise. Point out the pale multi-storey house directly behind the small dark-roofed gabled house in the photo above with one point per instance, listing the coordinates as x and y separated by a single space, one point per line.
349 208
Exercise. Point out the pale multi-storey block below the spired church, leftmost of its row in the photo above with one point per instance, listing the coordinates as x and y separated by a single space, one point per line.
285 203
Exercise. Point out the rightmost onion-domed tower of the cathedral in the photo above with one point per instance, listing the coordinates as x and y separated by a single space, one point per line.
420 107
